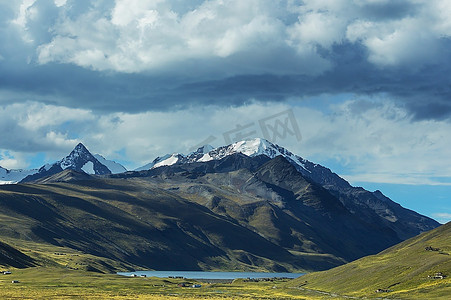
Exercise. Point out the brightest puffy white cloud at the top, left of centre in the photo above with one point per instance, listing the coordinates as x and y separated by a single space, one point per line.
148 35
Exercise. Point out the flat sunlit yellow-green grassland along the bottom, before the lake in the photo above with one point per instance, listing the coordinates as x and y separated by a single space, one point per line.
58 283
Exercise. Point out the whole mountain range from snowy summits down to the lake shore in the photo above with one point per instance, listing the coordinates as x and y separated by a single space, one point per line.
249 205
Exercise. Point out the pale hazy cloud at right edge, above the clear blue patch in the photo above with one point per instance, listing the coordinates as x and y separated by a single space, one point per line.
376 141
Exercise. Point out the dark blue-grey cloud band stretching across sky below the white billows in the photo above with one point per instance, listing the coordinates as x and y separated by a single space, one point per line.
426 92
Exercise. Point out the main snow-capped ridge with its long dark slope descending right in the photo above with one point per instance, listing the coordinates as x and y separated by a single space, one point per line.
369 207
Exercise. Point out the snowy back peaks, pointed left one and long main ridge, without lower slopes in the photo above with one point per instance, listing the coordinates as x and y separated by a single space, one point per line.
372 207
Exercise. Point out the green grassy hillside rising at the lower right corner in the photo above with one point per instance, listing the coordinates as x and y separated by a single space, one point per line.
403 271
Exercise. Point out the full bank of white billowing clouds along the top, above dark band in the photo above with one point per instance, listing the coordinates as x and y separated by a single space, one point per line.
138 36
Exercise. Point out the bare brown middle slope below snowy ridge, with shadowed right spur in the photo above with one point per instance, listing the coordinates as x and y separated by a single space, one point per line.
271 198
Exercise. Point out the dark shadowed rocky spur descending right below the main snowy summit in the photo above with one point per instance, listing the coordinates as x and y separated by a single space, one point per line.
347 235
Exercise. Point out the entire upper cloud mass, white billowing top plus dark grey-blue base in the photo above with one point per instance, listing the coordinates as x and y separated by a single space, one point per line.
268 59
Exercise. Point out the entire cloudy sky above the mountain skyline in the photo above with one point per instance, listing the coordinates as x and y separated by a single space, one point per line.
367 82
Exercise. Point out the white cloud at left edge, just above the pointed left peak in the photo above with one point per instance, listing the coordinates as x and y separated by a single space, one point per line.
31 127
